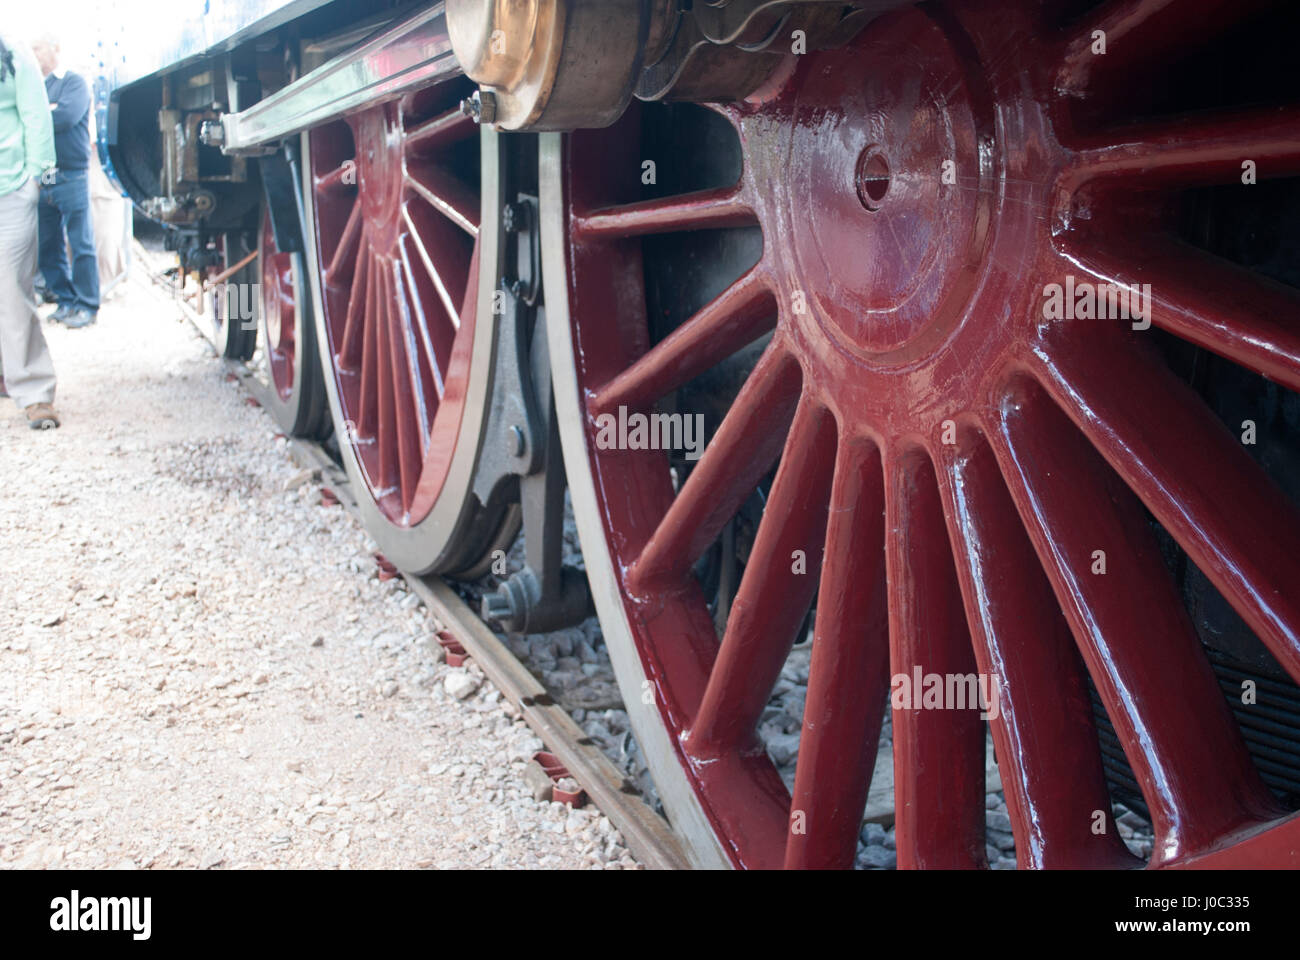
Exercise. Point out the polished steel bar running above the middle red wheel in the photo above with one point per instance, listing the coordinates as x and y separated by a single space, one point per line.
393 62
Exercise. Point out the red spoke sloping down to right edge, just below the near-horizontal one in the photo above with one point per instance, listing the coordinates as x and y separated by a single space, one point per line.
1212 304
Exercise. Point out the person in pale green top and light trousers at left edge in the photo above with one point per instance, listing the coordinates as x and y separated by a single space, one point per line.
27 153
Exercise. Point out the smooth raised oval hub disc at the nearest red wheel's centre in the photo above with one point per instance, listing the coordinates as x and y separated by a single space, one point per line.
885 150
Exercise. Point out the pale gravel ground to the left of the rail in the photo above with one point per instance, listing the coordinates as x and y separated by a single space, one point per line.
200 664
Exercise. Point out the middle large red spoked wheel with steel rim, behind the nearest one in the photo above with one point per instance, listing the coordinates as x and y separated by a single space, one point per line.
406 349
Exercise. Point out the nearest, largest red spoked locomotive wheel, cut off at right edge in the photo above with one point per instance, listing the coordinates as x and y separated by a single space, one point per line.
969 473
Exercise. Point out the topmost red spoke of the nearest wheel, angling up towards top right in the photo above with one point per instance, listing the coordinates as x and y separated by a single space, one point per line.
1141 34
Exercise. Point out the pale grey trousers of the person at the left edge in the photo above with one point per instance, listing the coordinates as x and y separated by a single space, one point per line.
29 374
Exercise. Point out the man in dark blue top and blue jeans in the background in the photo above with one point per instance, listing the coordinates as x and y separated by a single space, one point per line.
66 196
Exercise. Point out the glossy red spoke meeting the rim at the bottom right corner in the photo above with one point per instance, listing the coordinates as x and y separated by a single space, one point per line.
1132 629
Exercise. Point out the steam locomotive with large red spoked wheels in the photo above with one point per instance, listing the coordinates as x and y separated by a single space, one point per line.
986 309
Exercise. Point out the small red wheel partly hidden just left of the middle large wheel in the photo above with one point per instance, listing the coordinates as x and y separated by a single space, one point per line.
297 397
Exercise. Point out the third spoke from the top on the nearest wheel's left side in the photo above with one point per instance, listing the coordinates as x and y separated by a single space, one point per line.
742 452
